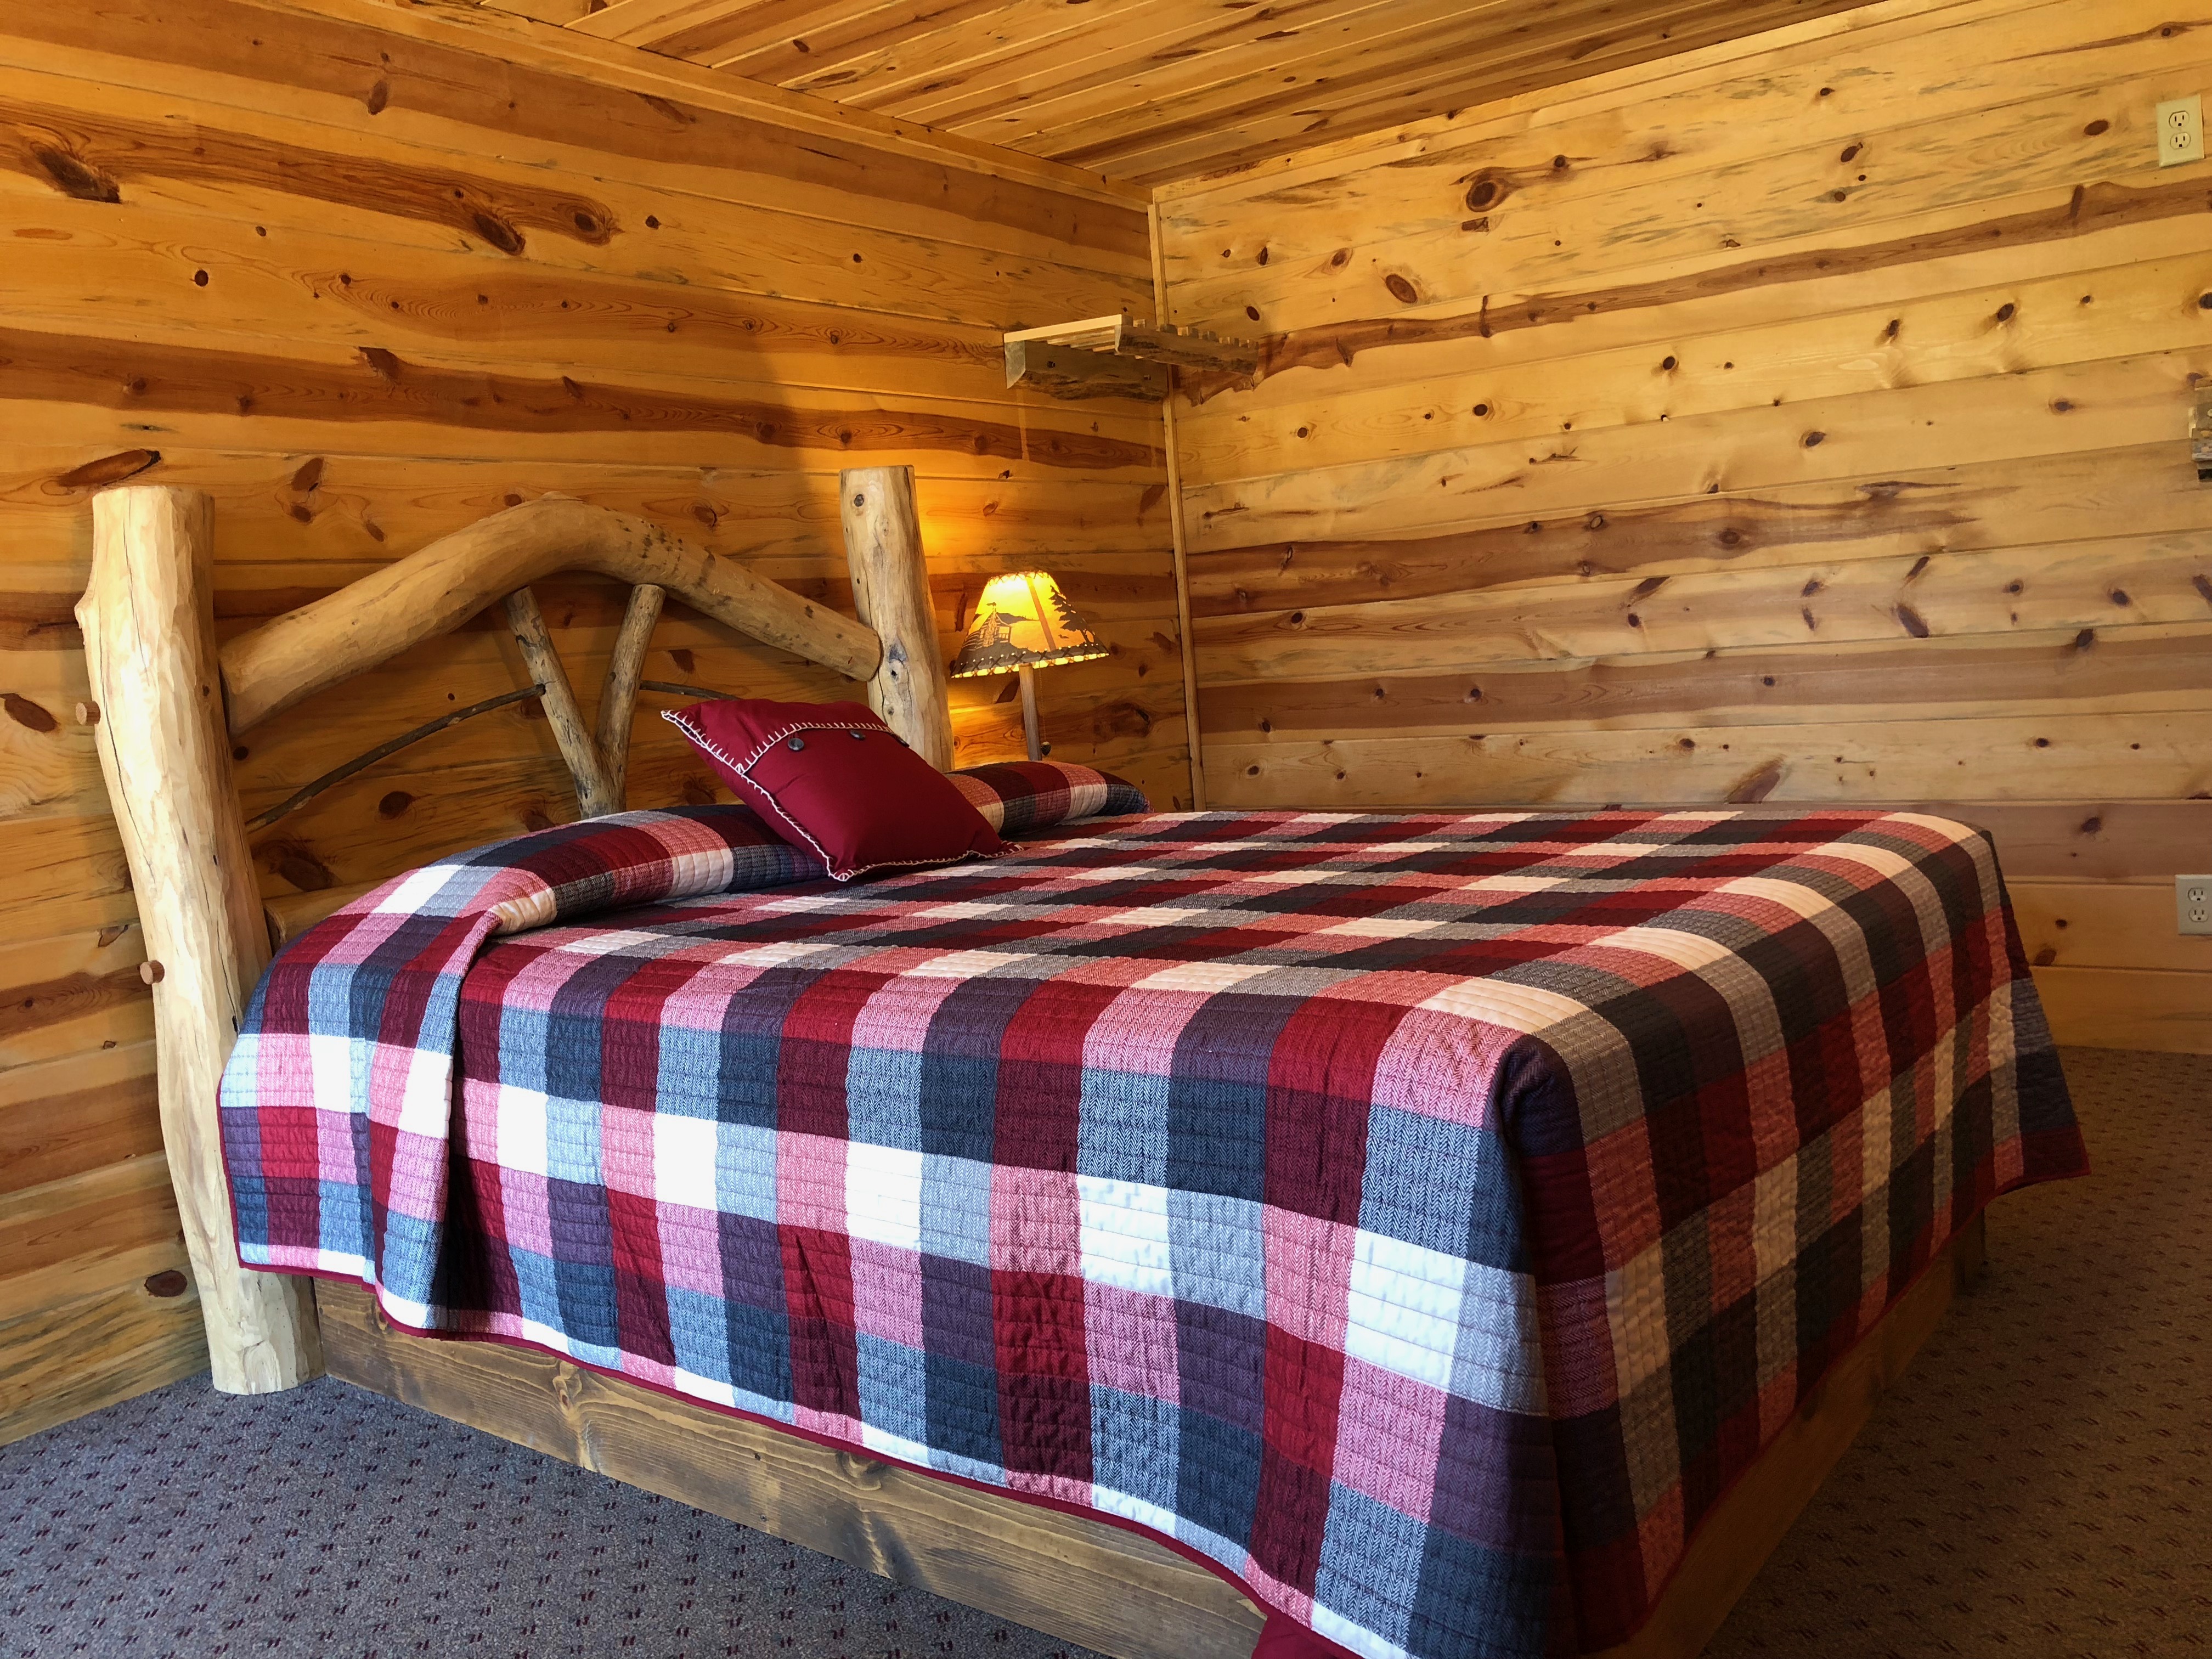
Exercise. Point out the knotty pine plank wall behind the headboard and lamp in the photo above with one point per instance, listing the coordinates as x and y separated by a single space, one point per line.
371 273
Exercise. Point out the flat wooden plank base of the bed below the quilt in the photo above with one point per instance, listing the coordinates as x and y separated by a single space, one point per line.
1052 1572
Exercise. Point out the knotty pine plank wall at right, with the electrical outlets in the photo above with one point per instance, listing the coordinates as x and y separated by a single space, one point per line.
1802 424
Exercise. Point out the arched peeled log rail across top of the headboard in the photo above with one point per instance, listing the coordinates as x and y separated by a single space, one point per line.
457 576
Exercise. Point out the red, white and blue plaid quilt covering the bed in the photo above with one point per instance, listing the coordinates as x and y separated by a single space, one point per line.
1419 1218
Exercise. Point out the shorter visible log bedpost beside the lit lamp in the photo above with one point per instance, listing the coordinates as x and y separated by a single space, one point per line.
890 592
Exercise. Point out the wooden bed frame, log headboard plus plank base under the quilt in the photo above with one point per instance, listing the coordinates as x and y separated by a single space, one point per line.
169 705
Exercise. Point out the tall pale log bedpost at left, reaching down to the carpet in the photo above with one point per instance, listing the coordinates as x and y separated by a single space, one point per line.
165 751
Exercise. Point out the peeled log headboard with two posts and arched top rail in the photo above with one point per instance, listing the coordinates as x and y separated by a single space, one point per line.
167 707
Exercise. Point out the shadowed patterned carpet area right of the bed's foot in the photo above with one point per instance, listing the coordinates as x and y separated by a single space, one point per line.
2041 1481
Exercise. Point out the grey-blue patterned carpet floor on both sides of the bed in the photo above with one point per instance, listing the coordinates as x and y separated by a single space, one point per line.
2041 1485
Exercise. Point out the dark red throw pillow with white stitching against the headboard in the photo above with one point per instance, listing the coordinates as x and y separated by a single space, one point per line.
833 778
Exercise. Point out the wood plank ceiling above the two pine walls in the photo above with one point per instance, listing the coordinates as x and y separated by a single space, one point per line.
1167 90
